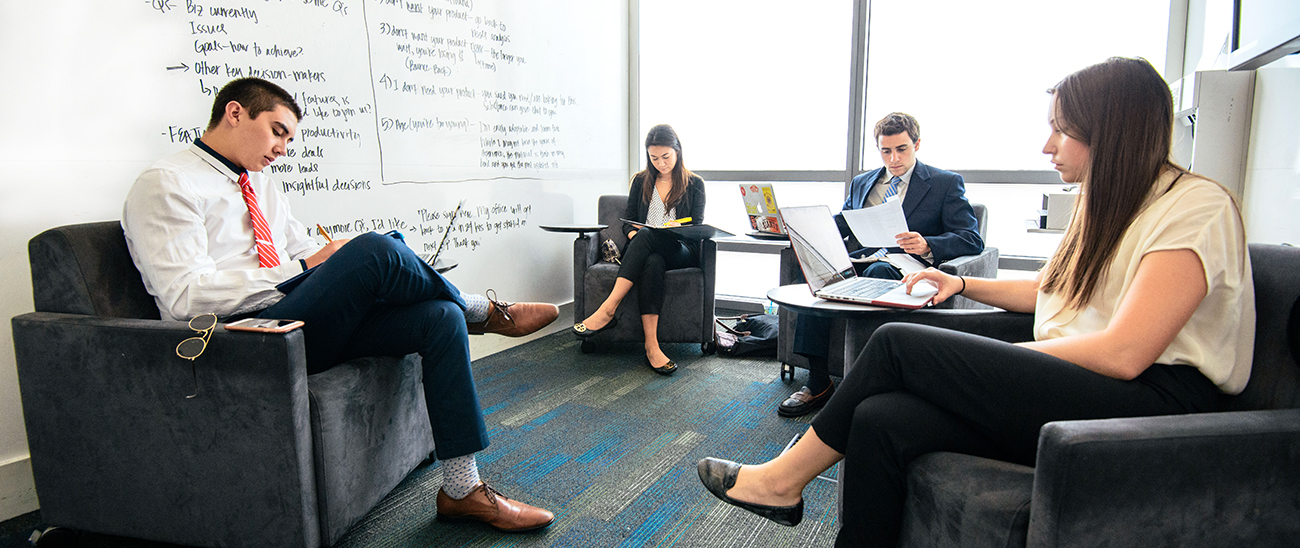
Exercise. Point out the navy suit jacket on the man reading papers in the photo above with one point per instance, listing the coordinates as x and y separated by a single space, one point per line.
935 207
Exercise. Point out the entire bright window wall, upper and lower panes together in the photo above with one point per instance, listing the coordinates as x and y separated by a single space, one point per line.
762 92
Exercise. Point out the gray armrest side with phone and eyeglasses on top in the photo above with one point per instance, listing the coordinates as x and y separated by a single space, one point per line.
119 449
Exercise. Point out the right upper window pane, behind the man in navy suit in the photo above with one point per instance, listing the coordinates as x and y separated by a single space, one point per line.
977 77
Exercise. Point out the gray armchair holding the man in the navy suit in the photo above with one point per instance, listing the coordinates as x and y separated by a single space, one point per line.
846 343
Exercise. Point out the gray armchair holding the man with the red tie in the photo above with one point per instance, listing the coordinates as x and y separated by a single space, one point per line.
263 455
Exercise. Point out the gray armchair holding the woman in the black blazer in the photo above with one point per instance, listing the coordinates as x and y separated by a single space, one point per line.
688 307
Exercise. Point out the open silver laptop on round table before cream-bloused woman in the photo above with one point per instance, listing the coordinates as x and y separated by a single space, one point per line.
830 273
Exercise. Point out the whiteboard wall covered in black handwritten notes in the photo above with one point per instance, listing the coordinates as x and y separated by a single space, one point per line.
518 110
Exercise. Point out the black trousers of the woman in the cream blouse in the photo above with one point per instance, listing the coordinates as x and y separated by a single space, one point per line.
917 390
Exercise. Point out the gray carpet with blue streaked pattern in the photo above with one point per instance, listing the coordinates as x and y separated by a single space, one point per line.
612 449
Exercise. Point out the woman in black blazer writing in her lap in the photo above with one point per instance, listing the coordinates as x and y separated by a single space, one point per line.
664 194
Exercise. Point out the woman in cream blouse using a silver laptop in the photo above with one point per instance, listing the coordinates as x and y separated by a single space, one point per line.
1147 308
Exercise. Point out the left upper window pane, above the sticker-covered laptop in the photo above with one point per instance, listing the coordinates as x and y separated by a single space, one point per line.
749 86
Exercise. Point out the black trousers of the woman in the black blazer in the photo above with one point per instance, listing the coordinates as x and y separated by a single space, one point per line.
647 259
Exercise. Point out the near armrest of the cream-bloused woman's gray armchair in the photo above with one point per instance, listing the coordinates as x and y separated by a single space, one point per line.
1197 480
